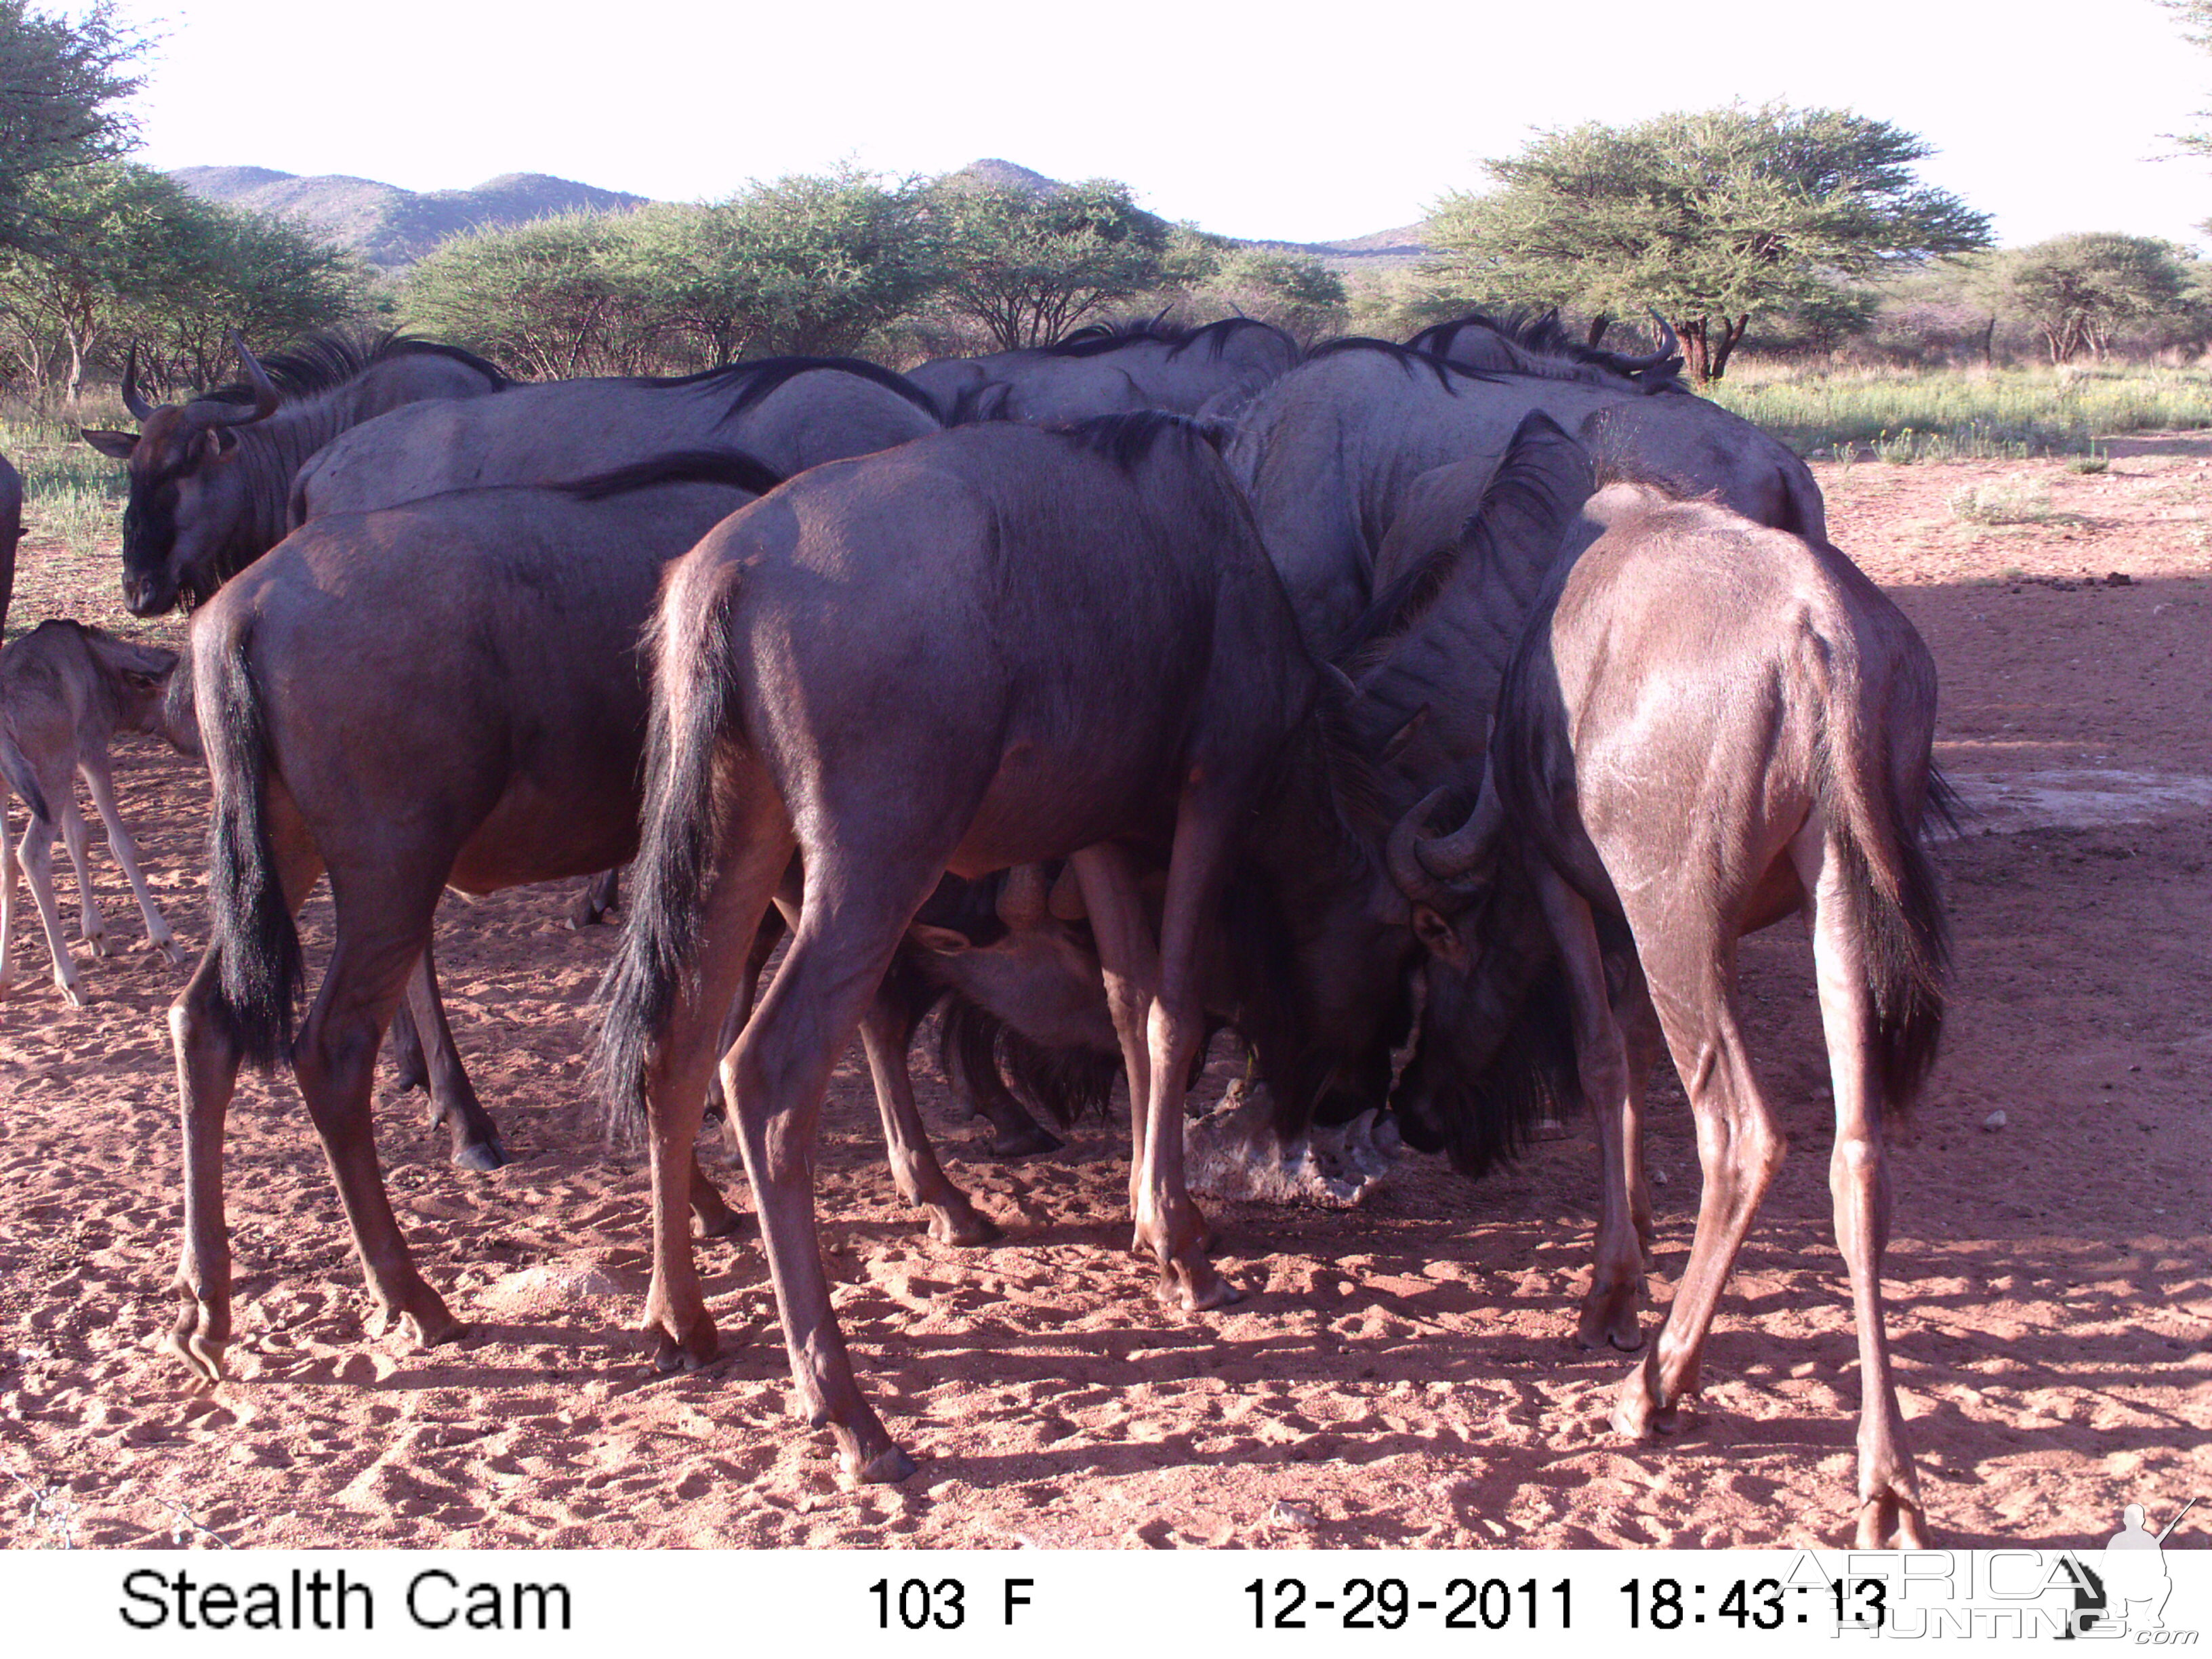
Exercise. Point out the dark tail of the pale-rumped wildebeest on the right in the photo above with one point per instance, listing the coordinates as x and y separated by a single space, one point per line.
1888 868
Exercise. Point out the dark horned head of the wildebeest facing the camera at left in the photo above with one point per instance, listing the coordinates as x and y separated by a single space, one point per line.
189 497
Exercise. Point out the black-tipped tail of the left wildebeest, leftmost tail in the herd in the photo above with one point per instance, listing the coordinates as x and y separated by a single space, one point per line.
251 924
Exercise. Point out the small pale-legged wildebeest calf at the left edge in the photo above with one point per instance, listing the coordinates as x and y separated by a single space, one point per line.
65 691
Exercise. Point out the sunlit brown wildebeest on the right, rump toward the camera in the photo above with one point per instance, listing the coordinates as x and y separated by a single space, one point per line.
1707 727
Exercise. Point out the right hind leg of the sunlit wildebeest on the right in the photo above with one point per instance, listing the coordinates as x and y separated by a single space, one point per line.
1890 1514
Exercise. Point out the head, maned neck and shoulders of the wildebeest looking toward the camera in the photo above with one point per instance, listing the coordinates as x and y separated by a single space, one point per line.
211 481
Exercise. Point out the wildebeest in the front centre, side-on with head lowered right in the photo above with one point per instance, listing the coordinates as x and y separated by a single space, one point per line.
983 649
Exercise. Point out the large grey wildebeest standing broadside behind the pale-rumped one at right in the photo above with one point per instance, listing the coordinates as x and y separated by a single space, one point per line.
1331 452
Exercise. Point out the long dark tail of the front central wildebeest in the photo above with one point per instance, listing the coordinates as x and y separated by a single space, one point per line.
693 700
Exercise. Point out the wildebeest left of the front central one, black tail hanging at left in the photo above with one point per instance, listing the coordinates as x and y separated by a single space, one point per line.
450 693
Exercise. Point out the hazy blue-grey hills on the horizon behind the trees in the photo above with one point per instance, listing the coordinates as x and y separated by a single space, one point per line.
390 227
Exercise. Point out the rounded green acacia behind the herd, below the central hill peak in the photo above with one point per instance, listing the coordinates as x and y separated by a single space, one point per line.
1030 264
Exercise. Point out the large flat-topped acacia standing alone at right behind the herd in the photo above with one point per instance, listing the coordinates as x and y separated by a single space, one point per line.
1707 218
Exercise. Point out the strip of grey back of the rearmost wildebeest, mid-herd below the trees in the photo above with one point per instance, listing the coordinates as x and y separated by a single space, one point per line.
1114 368
